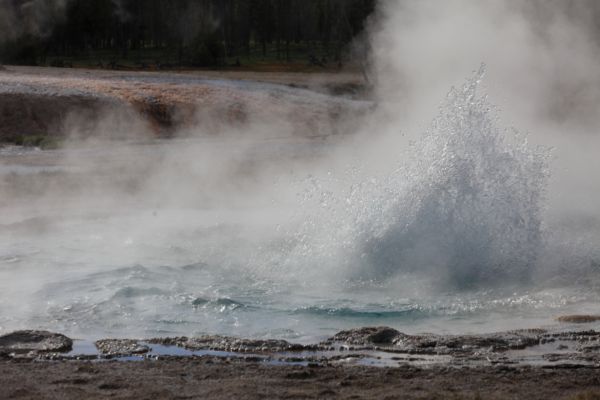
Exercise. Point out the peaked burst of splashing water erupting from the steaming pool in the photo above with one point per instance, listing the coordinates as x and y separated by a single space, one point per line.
464 212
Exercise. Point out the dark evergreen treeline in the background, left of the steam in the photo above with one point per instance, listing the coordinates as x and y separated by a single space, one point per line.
197 33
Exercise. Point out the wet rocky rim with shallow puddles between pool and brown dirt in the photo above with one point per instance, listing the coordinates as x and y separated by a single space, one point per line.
373 346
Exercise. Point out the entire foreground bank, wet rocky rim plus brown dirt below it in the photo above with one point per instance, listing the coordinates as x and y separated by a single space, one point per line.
371 362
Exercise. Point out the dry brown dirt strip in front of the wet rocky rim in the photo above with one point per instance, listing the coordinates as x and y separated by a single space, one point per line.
199 378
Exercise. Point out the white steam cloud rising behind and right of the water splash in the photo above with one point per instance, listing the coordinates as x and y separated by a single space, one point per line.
542 62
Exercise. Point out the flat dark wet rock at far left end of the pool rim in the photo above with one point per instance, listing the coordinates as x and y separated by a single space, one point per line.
34 341
